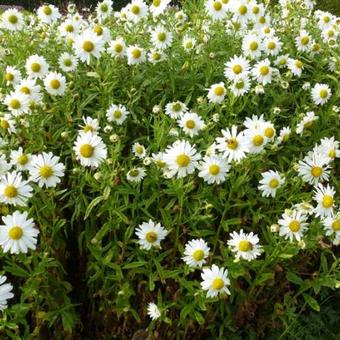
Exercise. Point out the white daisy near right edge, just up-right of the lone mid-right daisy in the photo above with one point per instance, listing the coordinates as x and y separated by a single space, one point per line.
314 168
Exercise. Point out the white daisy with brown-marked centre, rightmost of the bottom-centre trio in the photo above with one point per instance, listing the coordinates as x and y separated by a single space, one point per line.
245 245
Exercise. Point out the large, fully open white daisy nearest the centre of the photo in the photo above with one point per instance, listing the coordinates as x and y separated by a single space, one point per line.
181 158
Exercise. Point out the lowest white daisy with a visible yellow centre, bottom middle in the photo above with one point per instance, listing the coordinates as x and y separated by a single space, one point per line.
215 281
